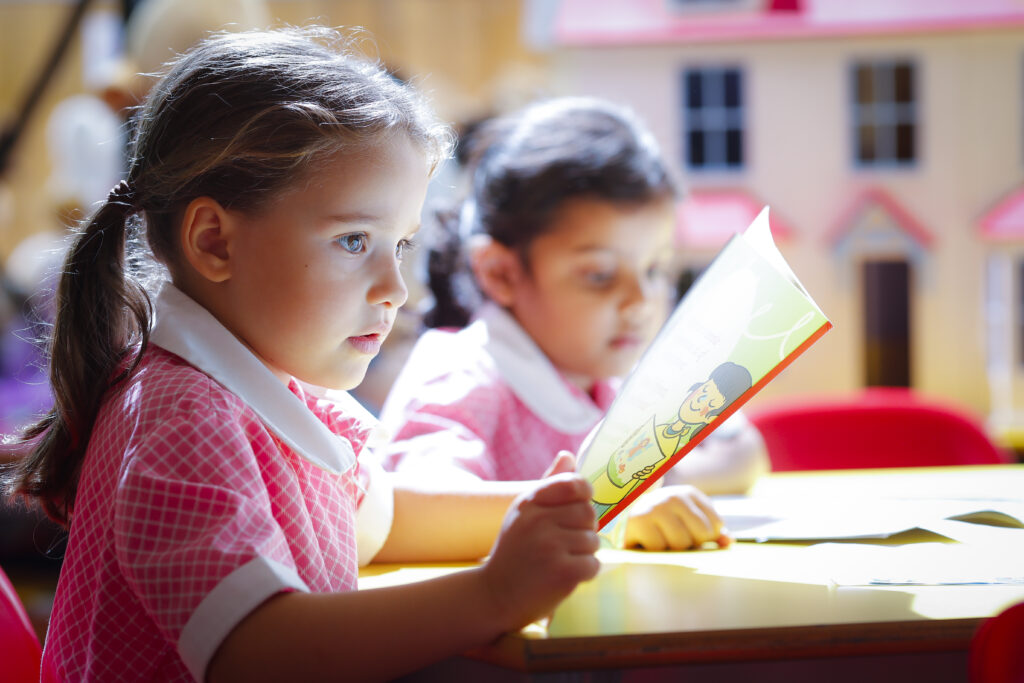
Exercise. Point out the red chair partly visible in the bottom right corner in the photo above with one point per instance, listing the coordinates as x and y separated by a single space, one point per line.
997 656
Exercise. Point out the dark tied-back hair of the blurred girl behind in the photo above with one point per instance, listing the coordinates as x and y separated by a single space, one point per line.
524 168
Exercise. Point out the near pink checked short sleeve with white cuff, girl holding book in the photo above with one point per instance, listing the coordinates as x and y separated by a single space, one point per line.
195 533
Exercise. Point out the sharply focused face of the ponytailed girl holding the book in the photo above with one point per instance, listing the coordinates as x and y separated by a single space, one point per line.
316 285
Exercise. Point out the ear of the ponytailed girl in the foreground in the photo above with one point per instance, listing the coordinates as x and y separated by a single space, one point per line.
206 236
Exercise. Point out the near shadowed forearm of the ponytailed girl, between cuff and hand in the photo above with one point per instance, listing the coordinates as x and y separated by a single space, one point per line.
361 635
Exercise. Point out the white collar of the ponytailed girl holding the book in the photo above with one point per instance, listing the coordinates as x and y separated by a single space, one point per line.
188 330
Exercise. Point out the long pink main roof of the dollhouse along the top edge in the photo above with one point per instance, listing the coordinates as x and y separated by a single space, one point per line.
591 23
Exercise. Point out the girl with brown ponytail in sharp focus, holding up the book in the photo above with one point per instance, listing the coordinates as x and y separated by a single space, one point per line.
218 507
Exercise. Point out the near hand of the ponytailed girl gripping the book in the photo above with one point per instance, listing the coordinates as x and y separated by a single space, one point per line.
545 548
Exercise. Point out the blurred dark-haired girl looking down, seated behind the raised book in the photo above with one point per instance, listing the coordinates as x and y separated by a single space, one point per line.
568 237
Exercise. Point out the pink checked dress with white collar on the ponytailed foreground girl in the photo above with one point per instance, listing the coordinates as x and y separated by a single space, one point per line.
194 507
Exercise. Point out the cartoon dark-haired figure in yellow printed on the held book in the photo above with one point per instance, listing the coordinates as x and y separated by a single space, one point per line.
653 445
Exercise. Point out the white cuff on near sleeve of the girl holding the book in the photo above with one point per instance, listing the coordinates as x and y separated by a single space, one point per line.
232 601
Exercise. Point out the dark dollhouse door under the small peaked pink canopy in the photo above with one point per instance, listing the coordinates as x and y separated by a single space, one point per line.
887 323
